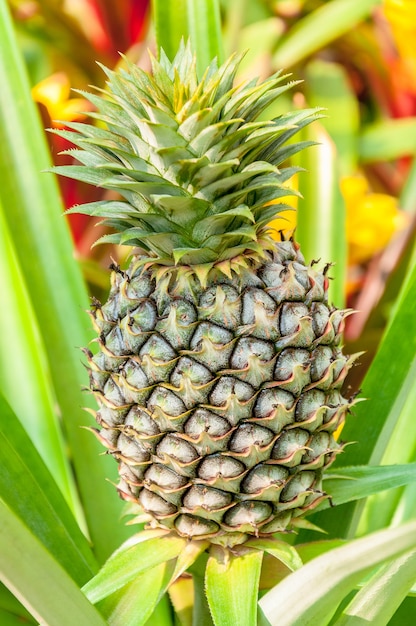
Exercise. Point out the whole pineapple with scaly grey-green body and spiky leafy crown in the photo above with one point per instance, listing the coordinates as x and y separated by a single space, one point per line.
219 370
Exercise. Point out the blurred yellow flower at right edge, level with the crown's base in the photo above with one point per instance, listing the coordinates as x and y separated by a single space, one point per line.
372 218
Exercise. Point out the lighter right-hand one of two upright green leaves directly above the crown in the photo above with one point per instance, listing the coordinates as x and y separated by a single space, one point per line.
204 22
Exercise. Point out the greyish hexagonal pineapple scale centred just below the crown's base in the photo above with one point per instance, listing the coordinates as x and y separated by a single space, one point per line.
221 304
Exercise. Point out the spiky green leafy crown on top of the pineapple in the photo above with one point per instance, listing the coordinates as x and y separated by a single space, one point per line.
199 172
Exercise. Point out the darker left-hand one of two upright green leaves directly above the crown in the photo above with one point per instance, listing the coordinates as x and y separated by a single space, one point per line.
171 24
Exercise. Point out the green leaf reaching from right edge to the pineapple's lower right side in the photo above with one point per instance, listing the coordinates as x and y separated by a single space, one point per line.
353 483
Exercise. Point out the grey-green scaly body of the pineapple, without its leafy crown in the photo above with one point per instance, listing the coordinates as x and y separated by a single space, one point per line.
220 402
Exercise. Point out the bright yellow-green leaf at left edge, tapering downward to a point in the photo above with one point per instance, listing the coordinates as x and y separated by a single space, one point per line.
23 361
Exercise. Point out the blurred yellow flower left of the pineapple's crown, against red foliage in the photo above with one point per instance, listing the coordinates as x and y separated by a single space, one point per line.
54 93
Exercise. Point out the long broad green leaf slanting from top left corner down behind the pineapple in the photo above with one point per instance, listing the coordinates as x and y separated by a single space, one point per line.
33 210
